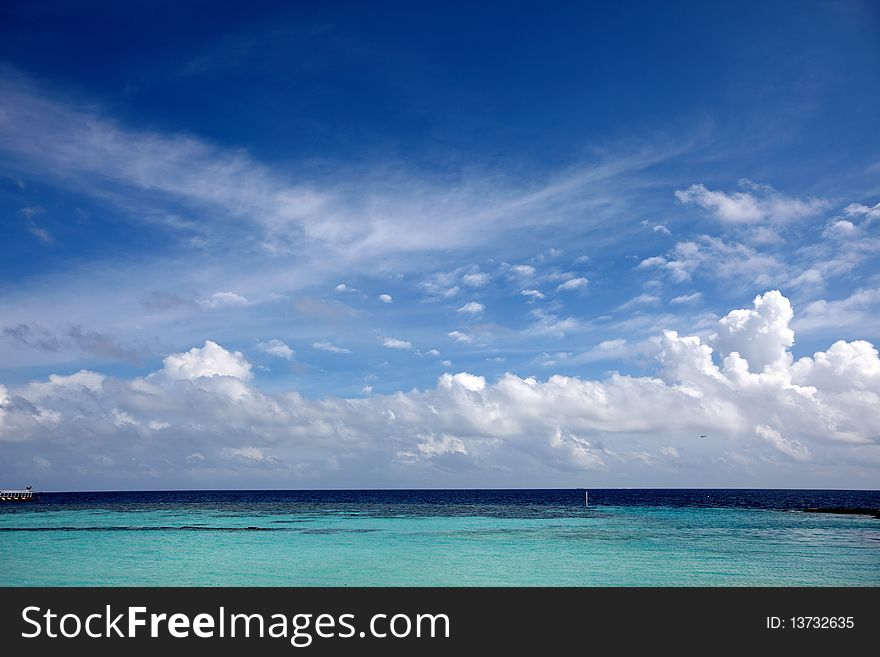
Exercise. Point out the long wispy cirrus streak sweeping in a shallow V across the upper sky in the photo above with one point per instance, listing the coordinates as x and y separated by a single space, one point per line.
76 145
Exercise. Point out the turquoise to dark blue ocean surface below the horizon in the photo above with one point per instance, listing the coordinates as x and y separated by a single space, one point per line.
441 538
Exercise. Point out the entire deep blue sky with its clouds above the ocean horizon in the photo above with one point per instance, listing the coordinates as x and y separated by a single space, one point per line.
357 200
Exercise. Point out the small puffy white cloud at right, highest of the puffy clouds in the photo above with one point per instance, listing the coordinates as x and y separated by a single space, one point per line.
760 203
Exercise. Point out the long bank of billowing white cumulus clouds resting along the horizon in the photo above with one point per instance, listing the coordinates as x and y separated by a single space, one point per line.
766 416
